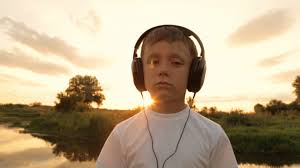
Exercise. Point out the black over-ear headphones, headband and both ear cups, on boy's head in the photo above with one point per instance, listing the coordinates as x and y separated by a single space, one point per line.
197 68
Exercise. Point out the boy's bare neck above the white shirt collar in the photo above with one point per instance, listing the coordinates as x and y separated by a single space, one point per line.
167 107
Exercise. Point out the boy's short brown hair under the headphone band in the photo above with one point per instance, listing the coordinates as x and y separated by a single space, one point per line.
169 34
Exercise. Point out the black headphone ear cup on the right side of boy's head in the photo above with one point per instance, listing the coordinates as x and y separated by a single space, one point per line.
196 74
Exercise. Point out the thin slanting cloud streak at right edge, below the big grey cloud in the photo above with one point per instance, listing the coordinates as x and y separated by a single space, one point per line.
268 62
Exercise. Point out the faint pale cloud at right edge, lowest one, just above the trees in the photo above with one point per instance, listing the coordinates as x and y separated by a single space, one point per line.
285 77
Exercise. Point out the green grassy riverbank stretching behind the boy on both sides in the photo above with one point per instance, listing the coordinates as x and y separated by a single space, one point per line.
248 133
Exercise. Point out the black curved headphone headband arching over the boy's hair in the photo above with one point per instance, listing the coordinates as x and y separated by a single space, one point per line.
184 30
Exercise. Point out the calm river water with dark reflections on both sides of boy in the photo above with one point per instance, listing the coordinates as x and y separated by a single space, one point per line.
25 150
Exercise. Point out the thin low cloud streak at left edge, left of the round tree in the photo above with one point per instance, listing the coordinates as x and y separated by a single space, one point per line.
13 79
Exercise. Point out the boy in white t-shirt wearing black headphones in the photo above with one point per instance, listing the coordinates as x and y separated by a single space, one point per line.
167 134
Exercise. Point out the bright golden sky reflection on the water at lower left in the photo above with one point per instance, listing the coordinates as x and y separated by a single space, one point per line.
22 150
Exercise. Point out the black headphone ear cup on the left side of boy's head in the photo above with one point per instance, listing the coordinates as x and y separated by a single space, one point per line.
138 74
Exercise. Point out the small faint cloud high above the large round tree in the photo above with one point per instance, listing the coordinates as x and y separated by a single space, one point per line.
90 22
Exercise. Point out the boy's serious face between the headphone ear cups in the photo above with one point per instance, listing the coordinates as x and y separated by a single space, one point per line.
166 69
